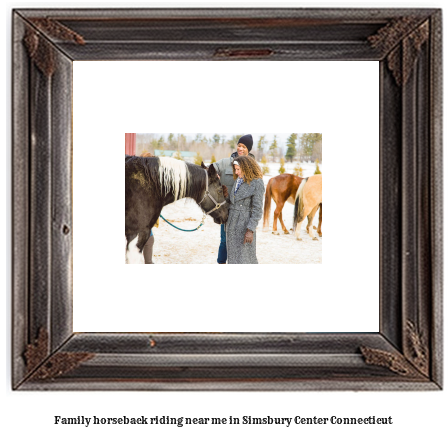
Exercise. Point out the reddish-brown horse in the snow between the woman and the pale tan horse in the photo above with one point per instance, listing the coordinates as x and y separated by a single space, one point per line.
282 189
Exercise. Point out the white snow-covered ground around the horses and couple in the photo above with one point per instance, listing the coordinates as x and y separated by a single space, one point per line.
201 247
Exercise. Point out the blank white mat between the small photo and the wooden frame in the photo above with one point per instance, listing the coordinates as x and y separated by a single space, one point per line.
334 98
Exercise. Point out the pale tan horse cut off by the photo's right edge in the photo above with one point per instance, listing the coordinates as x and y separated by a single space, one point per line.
308 199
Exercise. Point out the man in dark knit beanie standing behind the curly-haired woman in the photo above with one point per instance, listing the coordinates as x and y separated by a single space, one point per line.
224 169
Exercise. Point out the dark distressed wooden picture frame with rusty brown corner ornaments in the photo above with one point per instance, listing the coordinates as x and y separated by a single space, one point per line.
406 354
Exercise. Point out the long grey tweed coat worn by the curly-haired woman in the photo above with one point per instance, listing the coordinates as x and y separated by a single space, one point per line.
246 210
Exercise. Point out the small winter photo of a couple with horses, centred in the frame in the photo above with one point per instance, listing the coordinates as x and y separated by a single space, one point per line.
282 162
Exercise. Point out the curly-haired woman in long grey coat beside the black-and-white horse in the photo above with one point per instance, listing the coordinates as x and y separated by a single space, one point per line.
245 211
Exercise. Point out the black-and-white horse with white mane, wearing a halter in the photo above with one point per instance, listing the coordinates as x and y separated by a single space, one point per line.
153 182
